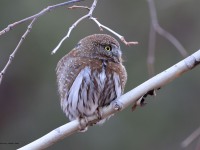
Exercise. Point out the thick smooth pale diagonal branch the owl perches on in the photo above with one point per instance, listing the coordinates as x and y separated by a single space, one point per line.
124 101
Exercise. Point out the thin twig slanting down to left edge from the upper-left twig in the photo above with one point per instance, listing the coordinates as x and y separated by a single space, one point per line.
16 49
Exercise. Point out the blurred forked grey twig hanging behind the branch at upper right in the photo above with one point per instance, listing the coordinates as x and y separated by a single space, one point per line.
157 28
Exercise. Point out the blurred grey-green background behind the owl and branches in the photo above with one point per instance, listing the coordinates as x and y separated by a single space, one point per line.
29 101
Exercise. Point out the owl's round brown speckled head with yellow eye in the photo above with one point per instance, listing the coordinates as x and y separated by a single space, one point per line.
100 46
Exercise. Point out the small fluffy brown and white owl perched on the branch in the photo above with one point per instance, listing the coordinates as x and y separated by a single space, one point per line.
90 76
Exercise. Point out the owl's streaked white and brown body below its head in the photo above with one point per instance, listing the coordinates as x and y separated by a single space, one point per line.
87 84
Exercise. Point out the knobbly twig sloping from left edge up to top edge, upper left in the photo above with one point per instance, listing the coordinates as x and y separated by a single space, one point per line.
48 9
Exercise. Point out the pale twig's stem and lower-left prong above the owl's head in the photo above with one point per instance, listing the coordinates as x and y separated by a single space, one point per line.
75 24
